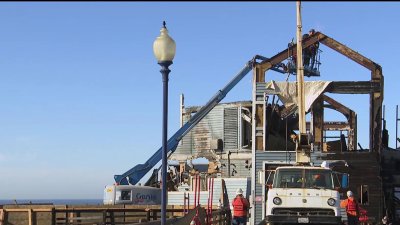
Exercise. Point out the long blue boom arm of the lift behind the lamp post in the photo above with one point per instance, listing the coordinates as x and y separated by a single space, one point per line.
135 174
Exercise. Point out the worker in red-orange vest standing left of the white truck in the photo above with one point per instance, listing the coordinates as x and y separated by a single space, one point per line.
240 206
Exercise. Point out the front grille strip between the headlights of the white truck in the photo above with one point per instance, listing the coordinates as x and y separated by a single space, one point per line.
303 212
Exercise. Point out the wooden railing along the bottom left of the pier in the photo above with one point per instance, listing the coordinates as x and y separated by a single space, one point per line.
98 215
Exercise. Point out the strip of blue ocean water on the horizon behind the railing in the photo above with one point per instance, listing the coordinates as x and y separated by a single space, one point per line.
52 201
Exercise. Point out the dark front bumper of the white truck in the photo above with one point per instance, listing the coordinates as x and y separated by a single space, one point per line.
282 219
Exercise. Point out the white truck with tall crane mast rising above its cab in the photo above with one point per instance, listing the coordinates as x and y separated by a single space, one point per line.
304 193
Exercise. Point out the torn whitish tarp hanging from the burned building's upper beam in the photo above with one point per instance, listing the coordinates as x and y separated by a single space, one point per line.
287 92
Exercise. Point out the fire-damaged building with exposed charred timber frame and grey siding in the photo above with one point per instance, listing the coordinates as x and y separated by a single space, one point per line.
239 139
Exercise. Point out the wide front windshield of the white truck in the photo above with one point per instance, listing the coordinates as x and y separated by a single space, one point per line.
303 178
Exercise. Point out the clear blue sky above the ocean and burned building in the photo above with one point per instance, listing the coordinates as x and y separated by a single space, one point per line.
81 92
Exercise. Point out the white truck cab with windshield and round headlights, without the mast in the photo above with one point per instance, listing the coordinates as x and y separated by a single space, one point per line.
304 194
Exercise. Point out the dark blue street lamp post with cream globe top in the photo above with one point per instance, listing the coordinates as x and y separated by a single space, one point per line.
164 48
